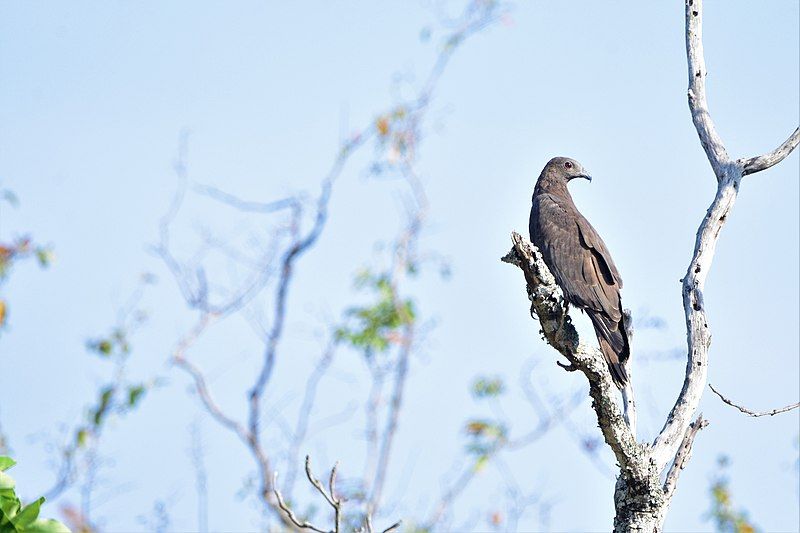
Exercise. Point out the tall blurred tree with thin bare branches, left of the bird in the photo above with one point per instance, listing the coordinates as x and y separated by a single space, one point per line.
387 327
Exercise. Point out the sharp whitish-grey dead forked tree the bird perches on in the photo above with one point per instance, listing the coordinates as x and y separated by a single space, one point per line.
641 498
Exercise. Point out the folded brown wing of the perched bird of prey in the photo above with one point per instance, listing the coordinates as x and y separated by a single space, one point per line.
581 269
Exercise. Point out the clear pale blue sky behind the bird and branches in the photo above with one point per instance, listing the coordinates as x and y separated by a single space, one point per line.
92 100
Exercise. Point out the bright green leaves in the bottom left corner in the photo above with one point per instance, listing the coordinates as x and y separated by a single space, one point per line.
18 518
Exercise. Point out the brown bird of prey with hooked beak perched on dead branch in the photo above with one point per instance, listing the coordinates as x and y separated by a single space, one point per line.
580 261
